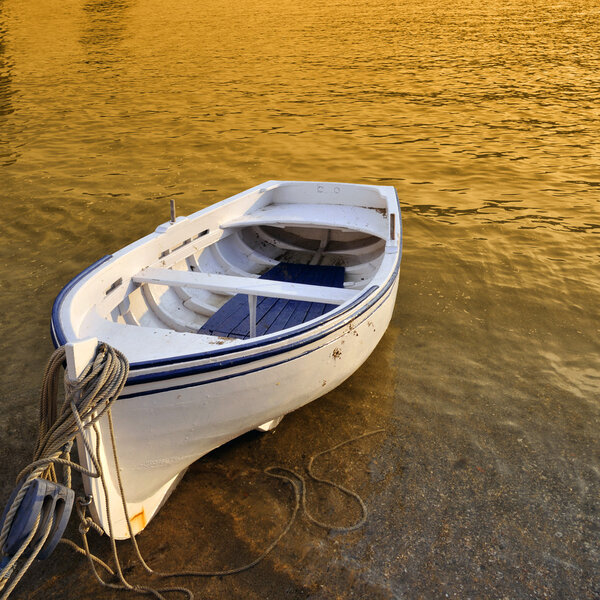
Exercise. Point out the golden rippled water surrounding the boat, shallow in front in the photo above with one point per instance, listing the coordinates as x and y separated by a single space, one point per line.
485 117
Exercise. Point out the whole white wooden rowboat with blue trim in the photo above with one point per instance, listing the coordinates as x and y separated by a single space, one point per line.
231 318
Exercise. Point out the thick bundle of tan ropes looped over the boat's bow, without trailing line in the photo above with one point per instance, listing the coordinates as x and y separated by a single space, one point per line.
86 399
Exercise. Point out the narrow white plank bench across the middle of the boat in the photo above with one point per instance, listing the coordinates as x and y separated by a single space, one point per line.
244 285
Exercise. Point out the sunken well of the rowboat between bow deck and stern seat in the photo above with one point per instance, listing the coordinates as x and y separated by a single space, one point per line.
290 275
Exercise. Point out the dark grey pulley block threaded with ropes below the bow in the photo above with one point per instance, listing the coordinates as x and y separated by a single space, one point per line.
49 500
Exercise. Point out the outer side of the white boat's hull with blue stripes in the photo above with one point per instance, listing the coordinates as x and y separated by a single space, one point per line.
170 416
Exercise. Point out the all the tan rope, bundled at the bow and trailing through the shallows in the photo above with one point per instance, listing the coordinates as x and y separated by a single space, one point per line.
86 401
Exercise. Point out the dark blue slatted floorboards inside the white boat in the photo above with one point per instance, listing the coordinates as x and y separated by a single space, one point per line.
274 314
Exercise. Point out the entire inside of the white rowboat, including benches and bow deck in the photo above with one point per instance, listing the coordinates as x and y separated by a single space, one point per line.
269 259
